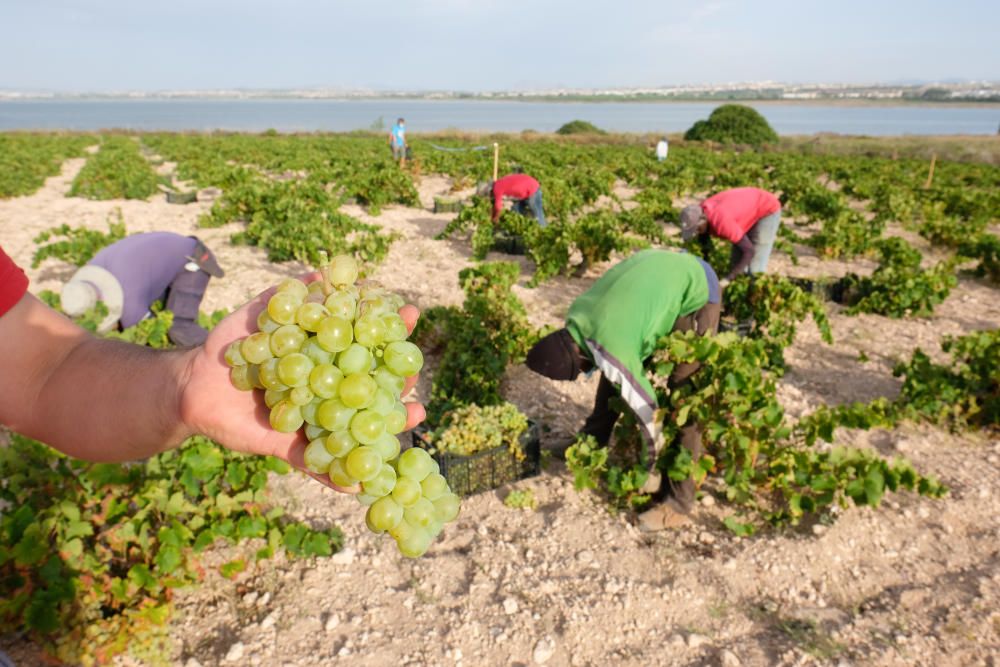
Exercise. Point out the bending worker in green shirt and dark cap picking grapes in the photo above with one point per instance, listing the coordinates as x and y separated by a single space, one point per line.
613 328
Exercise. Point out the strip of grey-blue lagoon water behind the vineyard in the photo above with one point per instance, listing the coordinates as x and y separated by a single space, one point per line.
308 115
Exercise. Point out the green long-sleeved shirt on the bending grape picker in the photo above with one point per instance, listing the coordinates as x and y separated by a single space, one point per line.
618 321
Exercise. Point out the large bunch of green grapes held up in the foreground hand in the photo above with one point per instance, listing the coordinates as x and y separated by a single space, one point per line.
332 357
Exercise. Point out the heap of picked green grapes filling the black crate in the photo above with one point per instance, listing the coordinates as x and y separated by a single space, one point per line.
473 428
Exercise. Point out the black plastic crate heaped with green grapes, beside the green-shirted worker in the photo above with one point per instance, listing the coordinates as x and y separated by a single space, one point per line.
488 469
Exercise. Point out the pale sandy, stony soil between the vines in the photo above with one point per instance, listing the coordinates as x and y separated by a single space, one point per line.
914 582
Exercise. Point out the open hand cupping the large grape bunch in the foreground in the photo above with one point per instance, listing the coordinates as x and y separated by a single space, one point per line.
238 420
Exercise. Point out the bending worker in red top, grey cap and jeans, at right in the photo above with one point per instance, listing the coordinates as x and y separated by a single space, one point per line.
747 217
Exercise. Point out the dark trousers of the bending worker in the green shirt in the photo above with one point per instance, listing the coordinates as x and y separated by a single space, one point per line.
602 419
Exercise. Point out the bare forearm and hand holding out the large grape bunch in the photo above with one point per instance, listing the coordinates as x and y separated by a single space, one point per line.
105 400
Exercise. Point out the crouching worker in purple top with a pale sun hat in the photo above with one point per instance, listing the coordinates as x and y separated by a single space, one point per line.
132 274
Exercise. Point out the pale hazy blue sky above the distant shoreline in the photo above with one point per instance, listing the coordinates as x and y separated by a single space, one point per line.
104 45
